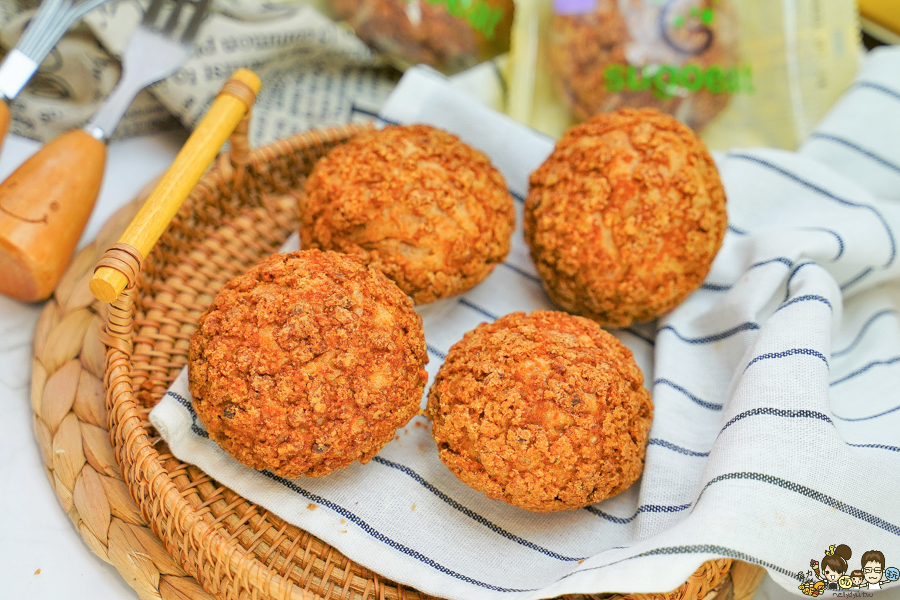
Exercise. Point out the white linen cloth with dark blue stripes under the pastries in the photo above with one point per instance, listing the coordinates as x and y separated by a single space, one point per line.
775 386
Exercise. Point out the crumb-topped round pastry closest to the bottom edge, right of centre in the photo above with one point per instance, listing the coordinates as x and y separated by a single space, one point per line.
544 411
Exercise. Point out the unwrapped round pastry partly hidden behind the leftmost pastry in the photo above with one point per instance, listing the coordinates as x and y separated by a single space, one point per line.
416 203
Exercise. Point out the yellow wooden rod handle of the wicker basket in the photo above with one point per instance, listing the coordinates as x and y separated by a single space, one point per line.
233 102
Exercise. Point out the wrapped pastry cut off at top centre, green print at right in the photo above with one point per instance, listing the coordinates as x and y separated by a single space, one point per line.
449 35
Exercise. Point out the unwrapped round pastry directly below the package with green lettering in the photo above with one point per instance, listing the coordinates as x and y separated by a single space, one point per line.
625 217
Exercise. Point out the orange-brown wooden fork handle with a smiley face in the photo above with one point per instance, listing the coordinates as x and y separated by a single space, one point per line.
44 206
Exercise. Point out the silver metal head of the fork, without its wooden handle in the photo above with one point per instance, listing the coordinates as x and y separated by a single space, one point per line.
156 49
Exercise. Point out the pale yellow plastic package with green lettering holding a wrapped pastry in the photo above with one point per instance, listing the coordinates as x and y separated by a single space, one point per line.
742 72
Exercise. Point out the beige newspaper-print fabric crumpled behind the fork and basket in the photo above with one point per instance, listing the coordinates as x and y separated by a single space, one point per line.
313 71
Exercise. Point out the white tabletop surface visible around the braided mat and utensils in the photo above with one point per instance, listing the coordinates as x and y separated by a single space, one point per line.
35 533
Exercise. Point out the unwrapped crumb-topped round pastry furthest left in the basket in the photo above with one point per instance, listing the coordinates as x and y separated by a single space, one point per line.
309 361
